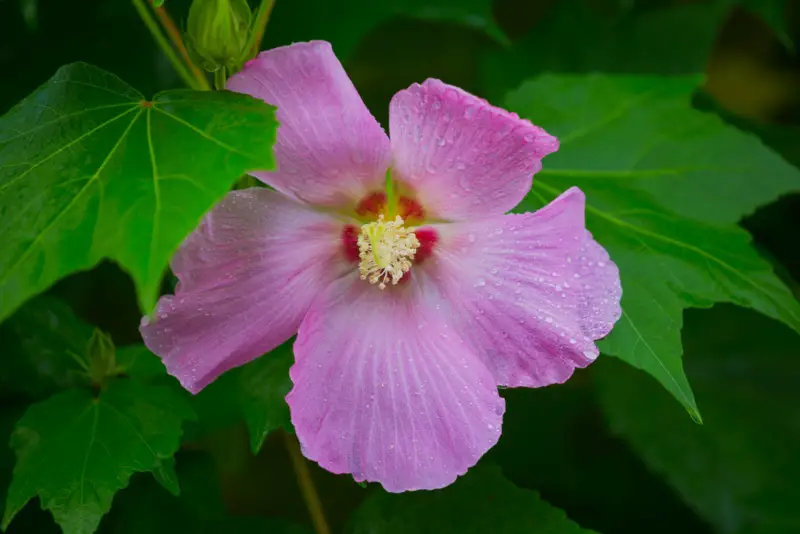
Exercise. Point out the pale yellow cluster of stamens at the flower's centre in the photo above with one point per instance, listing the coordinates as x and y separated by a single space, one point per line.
385 250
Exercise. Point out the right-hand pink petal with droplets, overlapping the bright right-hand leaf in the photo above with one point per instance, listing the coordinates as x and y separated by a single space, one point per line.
532 291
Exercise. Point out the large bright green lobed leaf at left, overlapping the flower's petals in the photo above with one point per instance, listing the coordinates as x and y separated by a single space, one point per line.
89 169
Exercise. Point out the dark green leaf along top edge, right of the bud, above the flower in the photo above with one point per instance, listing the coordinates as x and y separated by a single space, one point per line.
344 23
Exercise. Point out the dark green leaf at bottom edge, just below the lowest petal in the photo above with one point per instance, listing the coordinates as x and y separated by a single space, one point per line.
482 501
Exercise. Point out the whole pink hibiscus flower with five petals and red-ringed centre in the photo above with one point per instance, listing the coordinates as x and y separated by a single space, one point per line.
412 304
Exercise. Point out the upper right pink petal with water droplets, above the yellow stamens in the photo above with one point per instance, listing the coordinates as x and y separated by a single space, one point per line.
464 157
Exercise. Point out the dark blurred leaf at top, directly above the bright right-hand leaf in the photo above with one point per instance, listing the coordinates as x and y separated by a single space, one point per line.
582 36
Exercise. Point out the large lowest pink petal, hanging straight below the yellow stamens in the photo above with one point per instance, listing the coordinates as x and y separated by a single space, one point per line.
385 390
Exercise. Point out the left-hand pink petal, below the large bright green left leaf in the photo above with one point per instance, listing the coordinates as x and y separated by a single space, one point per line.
247 277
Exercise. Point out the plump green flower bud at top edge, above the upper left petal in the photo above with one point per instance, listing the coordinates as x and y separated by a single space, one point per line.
218 33
